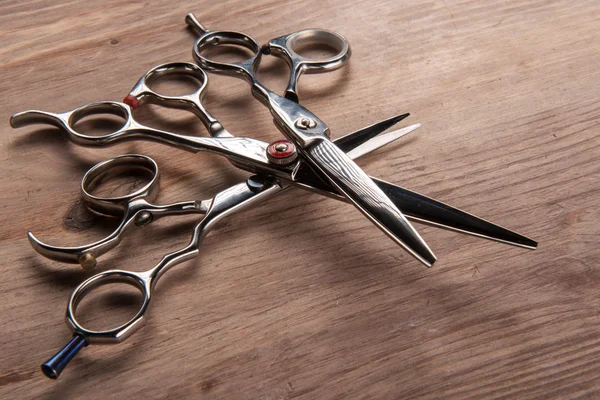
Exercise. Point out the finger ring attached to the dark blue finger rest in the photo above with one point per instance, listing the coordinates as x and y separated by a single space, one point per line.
140 281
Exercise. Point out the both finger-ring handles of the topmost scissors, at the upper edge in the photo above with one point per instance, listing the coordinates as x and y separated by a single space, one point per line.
282 47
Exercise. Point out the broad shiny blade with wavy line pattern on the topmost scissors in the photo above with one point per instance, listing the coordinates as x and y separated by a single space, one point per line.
351 181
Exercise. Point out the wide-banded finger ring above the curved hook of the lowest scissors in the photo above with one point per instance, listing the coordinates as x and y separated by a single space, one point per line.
117 205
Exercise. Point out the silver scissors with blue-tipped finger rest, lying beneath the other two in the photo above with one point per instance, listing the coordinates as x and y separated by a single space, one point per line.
137 209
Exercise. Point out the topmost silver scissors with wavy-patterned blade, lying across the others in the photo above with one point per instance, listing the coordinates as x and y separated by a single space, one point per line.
306 130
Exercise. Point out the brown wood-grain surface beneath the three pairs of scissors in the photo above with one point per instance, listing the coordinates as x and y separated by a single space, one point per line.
301 297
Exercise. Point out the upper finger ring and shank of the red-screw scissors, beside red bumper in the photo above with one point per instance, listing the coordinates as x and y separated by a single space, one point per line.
142 92
